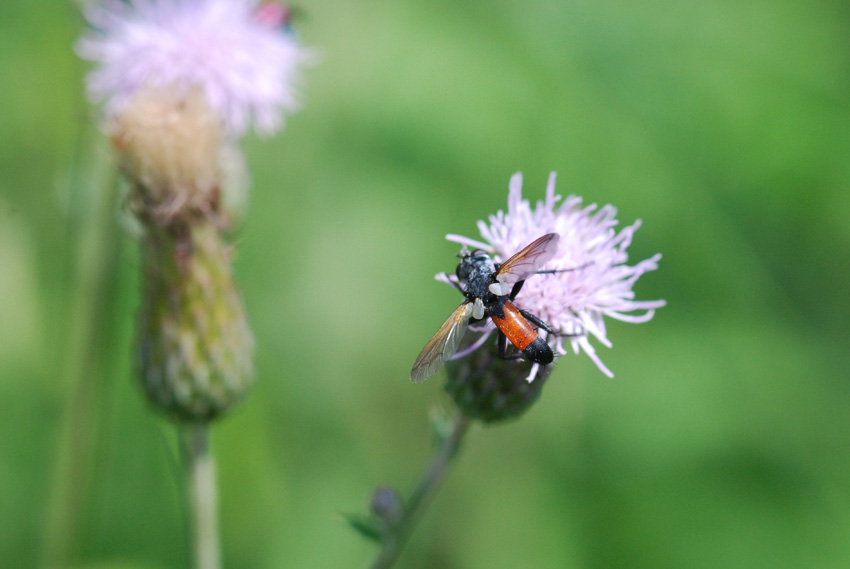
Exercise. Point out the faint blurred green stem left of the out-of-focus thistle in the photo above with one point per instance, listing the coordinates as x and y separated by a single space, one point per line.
91 256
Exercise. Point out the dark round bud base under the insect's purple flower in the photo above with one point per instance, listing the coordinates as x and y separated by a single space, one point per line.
492 389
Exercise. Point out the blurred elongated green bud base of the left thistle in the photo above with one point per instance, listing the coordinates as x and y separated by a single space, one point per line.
196 346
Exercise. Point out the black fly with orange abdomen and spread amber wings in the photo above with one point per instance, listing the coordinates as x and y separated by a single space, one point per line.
490 289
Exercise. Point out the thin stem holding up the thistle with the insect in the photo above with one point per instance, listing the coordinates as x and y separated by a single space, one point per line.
394 542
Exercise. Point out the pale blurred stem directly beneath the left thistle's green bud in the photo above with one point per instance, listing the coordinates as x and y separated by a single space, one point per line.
201 496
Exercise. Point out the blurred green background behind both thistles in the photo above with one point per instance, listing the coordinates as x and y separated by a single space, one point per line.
723 440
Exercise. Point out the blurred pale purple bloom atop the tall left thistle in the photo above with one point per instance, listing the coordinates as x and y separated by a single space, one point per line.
231 50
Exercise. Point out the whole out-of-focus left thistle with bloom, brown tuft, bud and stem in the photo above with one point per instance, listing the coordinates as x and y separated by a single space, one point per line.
180 83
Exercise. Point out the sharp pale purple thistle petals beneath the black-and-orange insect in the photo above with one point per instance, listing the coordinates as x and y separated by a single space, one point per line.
573 302
